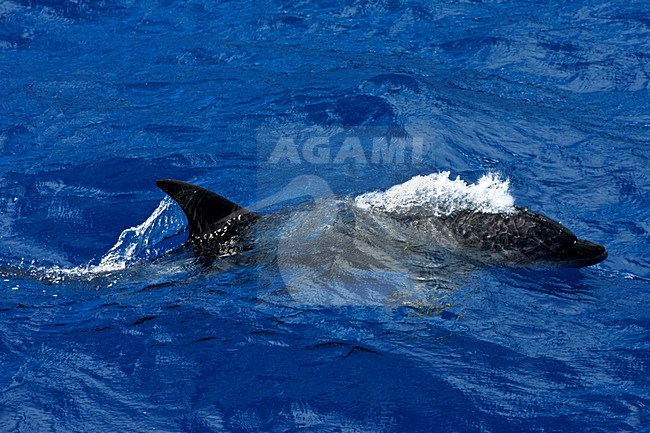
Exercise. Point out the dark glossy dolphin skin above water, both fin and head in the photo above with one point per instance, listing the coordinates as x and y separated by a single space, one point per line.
218 226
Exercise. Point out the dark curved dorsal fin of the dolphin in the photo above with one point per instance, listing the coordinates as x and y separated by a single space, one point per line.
205 210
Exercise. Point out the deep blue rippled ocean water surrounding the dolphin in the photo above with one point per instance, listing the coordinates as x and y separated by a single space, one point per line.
101 330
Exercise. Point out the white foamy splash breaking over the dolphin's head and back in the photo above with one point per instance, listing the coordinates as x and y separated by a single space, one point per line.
438 195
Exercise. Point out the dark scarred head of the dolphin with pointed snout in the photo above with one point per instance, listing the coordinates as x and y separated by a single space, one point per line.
527 238
